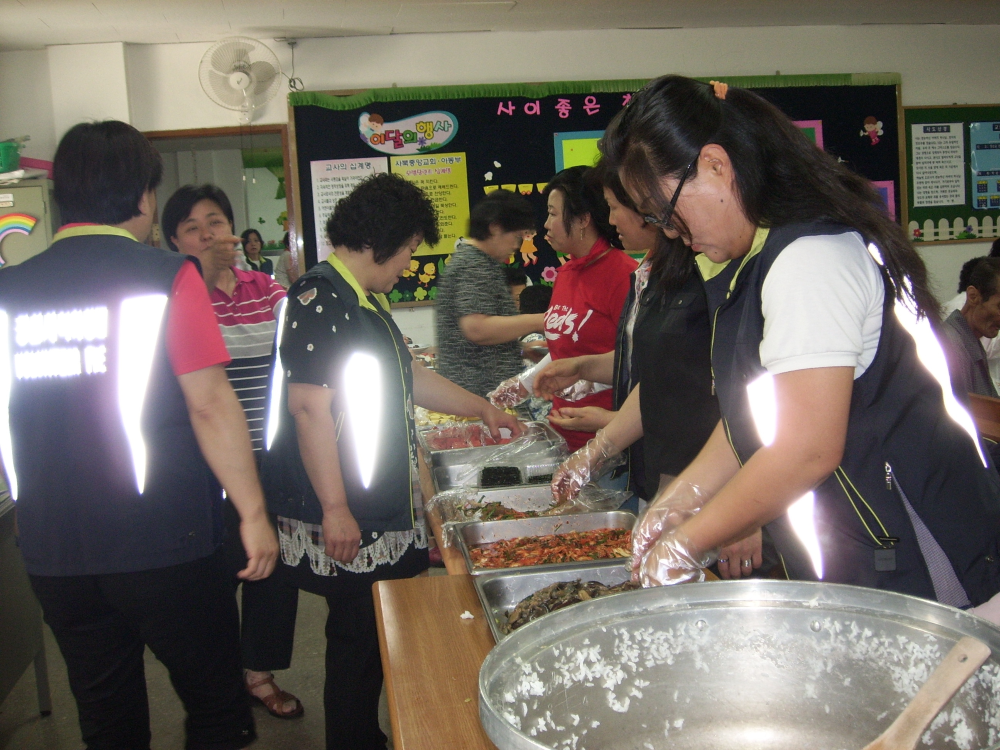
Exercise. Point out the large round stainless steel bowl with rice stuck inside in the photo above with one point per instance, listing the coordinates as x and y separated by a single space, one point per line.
752 665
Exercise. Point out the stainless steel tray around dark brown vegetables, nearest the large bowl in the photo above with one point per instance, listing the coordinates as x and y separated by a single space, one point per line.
499 592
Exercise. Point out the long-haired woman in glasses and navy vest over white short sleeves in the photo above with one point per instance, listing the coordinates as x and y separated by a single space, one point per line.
838 430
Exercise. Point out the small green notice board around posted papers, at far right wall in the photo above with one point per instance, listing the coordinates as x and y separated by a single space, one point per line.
964 113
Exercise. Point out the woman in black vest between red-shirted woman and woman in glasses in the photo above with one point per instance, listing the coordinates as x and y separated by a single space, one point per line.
663 348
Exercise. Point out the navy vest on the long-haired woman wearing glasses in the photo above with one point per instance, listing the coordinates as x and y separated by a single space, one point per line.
899 437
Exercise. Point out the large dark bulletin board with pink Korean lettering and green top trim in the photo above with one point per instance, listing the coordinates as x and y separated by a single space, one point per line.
461 142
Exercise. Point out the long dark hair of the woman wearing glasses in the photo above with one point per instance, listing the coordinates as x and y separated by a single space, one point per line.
781 177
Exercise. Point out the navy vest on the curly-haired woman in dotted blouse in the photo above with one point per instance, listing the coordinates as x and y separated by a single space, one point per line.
387 503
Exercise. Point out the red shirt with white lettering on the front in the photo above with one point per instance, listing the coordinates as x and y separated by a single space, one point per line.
587 301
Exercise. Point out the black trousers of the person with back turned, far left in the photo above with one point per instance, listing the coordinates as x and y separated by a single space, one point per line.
187 616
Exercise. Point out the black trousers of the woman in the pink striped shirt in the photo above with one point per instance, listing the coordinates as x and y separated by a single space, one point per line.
267 631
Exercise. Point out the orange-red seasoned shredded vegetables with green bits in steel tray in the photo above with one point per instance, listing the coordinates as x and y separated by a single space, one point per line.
574 546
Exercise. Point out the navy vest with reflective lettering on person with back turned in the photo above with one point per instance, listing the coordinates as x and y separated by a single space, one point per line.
79 508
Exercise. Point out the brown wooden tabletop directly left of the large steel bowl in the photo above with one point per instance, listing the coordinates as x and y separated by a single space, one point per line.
431 659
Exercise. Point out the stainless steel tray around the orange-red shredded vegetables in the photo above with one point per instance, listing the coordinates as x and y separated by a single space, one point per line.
474 533
